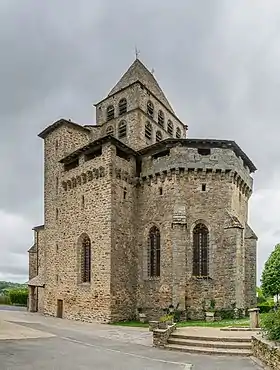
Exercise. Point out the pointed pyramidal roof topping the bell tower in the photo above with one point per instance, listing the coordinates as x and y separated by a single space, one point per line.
138 72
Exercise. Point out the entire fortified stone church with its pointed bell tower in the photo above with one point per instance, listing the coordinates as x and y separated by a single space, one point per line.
138 217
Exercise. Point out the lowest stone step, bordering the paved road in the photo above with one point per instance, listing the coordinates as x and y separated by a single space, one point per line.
209 351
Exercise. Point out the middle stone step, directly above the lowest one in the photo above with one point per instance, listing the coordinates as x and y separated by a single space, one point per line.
209 344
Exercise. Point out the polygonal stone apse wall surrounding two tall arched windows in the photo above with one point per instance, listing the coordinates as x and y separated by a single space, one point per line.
171 197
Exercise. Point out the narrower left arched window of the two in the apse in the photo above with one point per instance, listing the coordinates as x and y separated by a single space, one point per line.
154 252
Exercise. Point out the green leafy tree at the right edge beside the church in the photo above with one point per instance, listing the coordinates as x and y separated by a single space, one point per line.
271 274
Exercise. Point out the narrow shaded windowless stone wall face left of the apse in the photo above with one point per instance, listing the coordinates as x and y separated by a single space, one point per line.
123 262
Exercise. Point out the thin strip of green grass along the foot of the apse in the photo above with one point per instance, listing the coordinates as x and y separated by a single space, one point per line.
240 323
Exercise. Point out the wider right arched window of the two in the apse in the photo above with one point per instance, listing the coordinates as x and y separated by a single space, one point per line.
200 250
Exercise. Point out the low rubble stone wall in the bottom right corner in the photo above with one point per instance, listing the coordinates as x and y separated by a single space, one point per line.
266 351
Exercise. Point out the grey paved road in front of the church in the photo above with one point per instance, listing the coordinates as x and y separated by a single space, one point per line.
80 346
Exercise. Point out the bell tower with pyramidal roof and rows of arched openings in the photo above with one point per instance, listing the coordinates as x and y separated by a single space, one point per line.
137 112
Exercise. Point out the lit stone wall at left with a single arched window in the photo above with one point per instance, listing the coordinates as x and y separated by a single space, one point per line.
84 208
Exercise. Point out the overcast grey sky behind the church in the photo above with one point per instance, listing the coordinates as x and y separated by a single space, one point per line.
217 61
